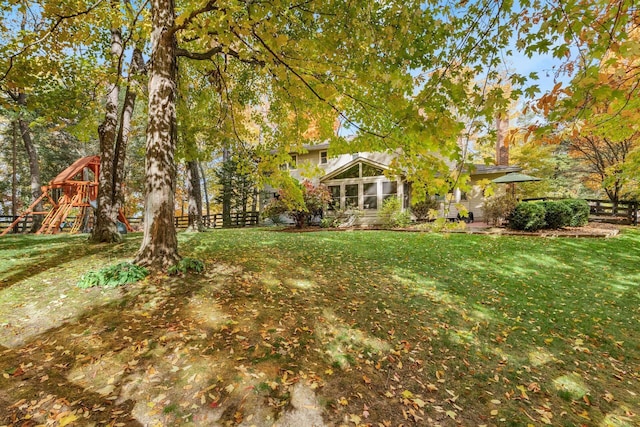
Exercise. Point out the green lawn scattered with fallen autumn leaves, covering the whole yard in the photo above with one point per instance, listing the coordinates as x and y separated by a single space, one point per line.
381 327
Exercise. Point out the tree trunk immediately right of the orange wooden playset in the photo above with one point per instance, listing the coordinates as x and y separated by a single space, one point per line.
105 229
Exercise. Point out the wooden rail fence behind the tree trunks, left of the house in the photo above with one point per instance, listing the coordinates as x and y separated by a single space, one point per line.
247 219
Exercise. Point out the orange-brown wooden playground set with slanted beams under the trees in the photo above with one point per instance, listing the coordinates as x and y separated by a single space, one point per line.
76 192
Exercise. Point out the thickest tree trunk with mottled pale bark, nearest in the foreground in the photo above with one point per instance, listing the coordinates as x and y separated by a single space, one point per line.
159 249
